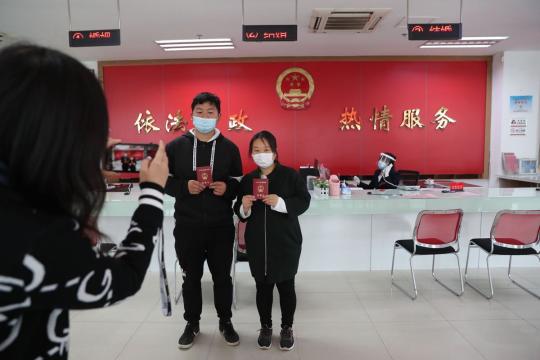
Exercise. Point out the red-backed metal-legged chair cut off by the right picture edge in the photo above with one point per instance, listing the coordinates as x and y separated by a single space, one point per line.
513 233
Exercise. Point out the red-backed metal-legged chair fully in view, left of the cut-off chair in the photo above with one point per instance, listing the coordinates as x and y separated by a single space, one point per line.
436 232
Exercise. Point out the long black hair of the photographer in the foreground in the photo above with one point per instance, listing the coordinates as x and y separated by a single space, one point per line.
53 131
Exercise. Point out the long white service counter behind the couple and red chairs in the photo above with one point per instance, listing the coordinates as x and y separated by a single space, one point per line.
357 232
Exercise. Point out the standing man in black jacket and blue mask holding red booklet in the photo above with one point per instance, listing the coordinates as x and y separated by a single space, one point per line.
204 220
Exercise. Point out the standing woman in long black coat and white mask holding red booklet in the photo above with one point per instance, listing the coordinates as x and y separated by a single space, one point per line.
273 235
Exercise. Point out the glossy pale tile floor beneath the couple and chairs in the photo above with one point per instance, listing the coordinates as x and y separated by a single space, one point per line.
340 315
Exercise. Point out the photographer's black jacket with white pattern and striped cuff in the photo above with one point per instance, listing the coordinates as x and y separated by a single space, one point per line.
48 266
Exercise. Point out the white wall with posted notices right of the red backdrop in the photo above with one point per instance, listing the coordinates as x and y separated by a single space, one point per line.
513 73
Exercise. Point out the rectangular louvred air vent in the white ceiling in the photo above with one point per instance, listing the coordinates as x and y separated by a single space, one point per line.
346 20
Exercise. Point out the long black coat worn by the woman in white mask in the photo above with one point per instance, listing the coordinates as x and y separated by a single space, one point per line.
274 239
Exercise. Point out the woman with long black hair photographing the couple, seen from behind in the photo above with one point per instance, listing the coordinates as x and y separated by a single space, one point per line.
53 132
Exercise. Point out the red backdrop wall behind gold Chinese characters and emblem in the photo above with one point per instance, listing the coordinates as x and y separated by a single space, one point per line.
314 132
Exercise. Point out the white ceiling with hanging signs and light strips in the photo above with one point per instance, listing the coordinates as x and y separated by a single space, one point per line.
46 22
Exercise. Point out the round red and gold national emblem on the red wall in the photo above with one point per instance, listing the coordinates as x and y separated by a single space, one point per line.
295 87
